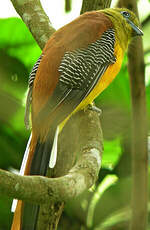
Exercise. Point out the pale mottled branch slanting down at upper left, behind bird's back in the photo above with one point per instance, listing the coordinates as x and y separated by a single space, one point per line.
35 18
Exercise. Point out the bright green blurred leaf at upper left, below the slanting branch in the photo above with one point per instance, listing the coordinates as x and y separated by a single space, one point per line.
18 42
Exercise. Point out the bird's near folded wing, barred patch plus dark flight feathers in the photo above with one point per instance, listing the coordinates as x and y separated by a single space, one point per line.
80 70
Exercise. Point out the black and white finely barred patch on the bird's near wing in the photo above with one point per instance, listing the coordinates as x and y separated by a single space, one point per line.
79 69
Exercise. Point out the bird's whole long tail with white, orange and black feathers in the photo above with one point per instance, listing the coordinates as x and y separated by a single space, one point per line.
36 162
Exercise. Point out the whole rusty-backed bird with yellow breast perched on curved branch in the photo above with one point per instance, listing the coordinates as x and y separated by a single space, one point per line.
77 63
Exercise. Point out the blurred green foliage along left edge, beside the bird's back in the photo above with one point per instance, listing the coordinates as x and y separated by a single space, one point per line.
18 53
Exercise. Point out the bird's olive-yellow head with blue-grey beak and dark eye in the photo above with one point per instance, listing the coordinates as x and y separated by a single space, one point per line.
126 24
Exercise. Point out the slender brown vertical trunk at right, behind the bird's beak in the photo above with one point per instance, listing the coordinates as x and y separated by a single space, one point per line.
139 130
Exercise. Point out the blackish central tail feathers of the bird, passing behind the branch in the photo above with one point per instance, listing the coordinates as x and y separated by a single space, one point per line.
39 166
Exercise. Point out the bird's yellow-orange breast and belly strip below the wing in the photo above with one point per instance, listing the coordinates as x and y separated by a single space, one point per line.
103 82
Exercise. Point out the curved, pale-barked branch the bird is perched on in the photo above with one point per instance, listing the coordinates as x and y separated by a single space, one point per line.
40 190
